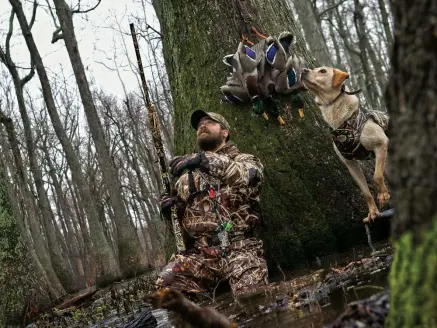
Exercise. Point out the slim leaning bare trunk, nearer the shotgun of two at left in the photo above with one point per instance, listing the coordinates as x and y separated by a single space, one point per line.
131 256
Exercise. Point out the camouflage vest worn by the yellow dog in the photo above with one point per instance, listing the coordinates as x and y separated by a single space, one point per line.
347 137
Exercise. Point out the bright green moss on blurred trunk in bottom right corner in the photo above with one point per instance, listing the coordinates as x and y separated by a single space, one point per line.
413 279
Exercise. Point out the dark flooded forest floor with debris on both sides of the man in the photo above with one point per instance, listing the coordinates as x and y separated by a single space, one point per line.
311 296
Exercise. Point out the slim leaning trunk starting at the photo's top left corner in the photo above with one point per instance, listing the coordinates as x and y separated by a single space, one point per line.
109 267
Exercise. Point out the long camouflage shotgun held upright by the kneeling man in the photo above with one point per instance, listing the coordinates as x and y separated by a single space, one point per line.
156 134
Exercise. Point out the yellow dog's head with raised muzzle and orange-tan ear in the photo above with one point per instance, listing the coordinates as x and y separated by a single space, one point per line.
324 82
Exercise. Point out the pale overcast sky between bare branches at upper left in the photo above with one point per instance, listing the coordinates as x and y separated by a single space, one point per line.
97 35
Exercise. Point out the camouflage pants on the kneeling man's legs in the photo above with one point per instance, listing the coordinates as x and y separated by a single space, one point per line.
243 266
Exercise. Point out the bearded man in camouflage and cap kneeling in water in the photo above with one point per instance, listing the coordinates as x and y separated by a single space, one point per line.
218 207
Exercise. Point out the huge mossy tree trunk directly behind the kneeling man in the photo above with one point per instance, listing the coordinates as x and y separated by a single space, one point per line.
309 198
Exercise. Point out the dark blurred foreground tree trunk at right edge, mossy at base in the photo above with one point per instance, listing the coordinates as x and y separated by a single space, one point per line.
412 99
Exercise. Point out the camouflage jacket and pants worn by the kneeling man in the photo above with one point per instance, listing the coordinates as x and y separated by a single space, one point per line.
228 187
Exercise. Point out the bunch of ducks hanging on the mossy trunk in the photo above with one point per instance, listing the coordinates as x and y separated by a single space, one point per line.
260 71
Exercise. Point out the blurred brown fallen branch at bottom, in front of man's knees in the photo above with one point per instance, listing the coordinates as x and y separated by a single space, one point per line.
201 317
